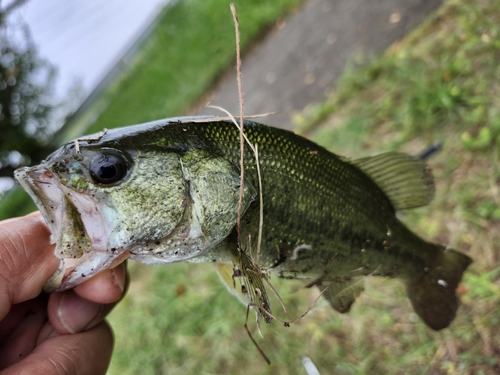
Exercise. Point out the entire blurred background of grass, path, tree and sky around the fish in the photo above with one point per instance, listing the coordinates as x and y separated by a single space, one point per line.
357 76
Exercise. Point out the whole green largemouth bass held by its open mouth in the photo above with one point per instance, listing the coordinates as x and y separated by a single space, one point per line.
172 191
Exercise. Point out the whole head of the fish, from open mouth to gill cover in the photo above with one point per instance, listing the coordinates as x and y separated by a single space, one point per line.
107 201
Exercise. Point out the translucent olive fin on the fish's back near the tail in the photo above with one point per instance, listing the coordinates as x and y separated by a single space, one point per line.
406 180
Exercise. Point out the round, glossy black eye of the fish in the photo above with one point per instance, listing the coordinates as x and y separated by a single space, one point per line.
108 168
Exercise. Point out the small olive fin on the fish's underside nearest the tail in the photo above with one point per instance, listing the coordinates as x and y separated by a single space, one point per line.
342 294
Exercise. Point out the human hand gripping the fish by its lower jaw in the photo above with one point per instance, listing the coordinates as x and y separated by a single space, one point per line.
50 334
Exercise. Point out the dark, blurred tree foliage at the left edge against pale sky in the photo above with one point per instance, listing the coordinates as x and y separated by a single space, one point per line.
25 87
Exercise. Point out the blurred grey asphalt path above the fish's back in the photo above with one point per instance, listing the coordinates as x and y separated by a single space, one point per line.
299 61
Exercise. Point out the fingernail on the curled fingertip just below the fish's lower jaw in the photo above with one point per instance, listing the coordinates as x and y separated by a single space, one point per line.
76 313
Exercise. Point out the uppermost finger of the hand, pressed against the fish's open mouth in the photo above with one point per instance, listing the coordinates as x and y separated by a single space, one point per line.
26 259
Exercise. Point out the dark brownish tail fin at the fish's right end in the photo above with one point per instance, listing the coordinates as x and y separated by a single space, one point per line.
432 294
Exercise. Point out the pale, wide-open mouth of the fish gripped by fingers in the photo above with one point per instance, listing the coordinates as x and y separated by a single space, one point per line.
77 226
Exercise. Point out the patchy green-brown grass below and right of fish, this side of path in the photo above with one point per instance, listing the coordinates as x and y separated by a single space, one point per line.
439 84
